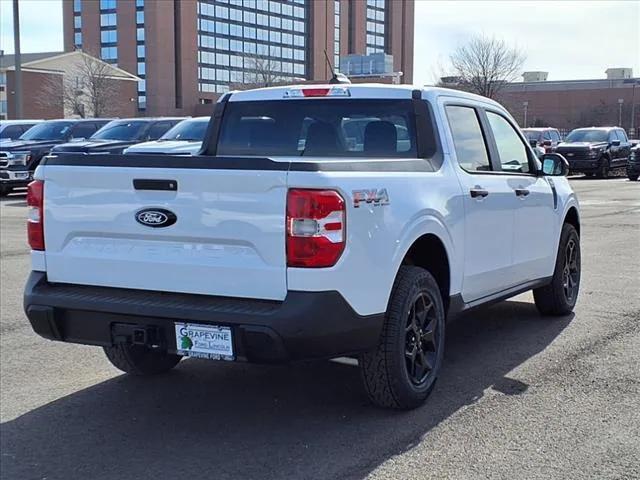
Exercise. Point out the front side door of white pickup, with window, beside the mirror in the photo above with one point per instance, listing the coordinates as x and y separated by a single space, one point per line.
535 219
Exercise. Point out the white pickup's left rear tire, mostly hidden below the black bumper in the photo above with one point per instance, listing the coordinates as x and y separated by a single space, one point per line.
140 360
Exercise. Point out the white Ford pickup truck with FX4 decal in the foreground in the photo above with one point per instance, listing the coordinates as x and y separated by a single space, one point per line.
318 221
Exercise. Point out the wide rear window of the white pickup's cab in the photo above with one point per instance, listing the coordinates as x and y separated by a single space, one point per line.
321 128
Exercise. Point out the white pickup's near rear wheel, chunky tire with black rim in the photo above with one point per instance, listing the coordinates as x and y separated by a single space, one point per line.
401 372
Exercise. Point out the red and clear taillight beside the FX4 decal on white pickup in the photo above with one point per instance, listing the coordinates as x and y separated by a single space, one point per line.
316 232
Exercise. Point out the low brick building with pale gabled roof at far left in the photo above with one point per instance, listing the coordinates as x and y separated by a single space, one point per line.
43 81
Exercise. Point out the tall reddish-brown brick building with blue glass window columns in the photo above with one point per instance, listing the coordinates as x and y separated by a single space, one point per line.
189 52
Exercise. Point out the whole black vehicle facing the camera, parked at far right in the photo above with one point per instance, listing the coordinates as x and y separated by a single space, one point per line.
596 150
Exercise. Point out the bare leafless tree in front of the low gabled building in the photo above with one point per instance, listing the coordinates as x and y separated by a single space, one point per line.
87 89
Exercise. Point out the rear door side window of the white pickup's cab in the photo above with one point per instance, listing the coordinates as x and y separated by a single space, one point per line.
468 139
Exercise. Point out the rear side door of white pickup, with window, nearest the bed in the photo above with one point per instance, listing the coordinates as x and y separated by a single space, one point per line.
489 207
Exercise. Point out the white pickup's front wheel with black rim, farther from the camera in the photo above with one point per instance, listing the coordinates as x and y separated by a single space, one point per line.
559 297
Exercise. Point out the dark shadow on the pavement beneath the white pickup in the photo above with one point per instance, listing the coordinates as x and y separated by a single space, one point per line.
303 421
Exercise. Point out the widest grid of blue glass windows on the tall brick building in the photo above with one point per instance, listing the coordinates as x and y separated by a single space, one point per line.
264 32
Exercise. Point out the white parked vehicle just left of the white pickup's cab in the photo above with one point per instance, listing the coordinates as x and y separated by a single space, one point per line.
185 138
